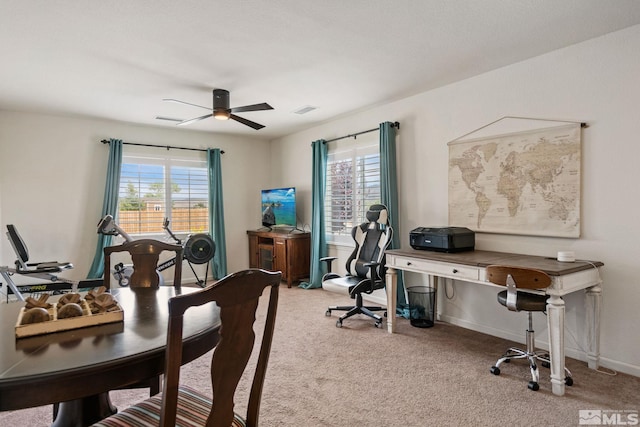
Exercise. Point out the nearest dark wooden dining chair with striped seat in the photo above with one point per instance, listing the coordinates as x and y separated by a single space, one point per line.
237 296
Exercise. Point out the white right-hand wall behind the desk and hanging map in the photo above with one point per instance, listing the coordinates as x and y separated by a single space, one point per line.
596 82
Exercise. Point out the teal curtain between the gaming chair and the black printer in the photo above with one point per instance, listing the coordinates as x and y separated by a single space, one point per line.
389 194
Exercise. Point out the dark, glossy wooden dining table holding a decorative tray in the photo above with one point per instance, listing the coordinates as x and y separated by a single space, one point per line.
76 369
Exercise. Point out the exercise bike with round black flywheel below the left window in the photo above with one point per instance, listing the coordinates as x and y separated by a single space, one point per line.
198 249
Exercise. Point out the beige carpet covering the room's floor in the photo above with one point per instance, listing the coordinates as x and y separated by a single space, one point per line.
359 375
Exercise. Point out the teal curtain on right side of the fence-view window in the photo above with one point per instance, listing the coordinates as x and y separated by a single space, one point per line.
216 213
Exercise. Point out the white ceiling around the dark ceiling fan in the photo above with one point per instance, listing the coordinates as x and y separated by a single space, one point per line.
117 59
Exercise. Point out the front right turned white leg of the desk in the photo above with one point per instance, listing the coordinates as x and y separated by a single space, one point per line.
555 325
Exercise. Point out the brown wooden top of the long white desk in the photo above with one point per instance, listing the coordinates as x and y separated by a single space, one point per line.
478 258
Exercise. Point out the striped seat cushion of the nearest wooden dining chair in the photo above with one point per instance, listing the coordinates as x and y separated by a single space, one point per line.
193 410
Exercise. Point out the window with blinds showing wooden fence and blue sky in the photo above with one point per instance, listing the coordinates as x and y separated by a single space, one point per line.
152 188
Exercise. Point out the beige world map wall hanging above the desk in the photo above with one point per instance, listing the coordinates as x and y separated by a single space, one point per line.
518 183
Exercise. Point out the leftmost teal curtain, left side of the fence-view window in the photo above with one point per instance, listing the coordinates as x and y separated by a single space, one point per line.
109 205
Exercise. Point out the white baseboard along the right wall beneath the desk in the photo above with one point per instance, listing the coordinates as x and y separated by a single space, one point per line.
541 344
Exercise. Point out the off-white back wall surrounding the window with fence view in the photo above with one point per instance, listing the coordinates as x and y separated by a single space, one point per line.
52 174
